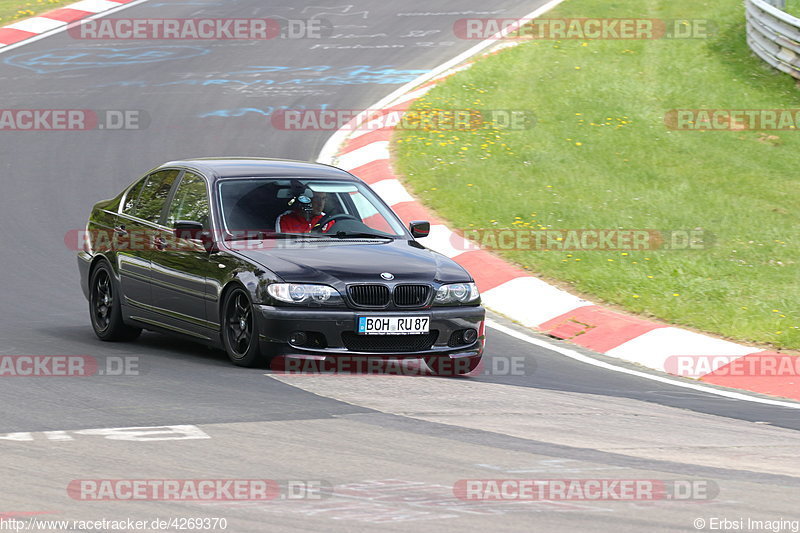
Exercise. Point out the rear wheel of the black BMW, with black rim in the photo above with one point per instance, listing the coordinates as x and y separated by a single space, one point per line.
105 307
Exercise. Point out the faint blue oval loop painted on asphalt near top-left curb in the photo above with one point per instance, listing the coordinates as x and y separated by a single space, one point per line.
61 59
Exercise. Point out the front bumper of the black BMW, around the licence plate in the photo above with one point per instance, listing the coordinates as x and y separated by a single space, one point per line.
331 332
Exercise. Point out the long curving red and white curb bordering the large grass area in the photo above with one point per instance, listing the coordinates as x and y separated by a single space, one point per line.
362 148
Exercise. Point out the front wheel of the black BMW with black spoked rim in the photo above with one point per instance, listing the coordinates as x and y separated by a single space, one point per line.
240 330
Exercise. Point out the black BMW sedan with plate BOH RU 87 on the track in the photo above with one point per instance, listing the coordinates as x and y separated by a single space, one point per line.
266 258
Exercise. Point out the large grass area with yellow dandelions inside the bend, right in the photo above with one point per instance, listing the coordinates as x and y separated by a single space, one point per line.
628 170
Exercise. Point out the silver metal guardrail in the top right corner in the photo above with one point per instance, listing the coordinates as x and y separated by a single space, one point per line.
774 35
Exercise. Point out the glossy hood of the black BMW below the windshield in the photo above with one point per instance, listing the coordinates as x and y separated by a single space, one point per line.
346 262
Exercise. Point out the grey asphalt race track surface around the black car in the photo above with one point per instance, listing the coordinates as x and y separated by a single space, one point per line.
390 447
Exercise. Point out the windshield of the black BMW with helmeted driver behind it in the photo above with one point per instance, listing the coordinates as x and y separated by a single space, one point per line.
275 207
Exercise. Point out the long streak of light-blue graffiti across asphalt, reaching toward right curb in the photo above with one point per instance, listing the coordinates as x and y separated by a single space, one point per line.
307 76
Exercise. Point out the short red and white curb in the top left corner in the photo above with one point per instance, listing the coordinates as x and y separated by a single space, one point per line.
57 20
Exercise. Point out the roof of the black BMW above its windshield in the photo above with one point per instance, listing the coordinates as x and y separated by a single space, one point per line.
249 167
